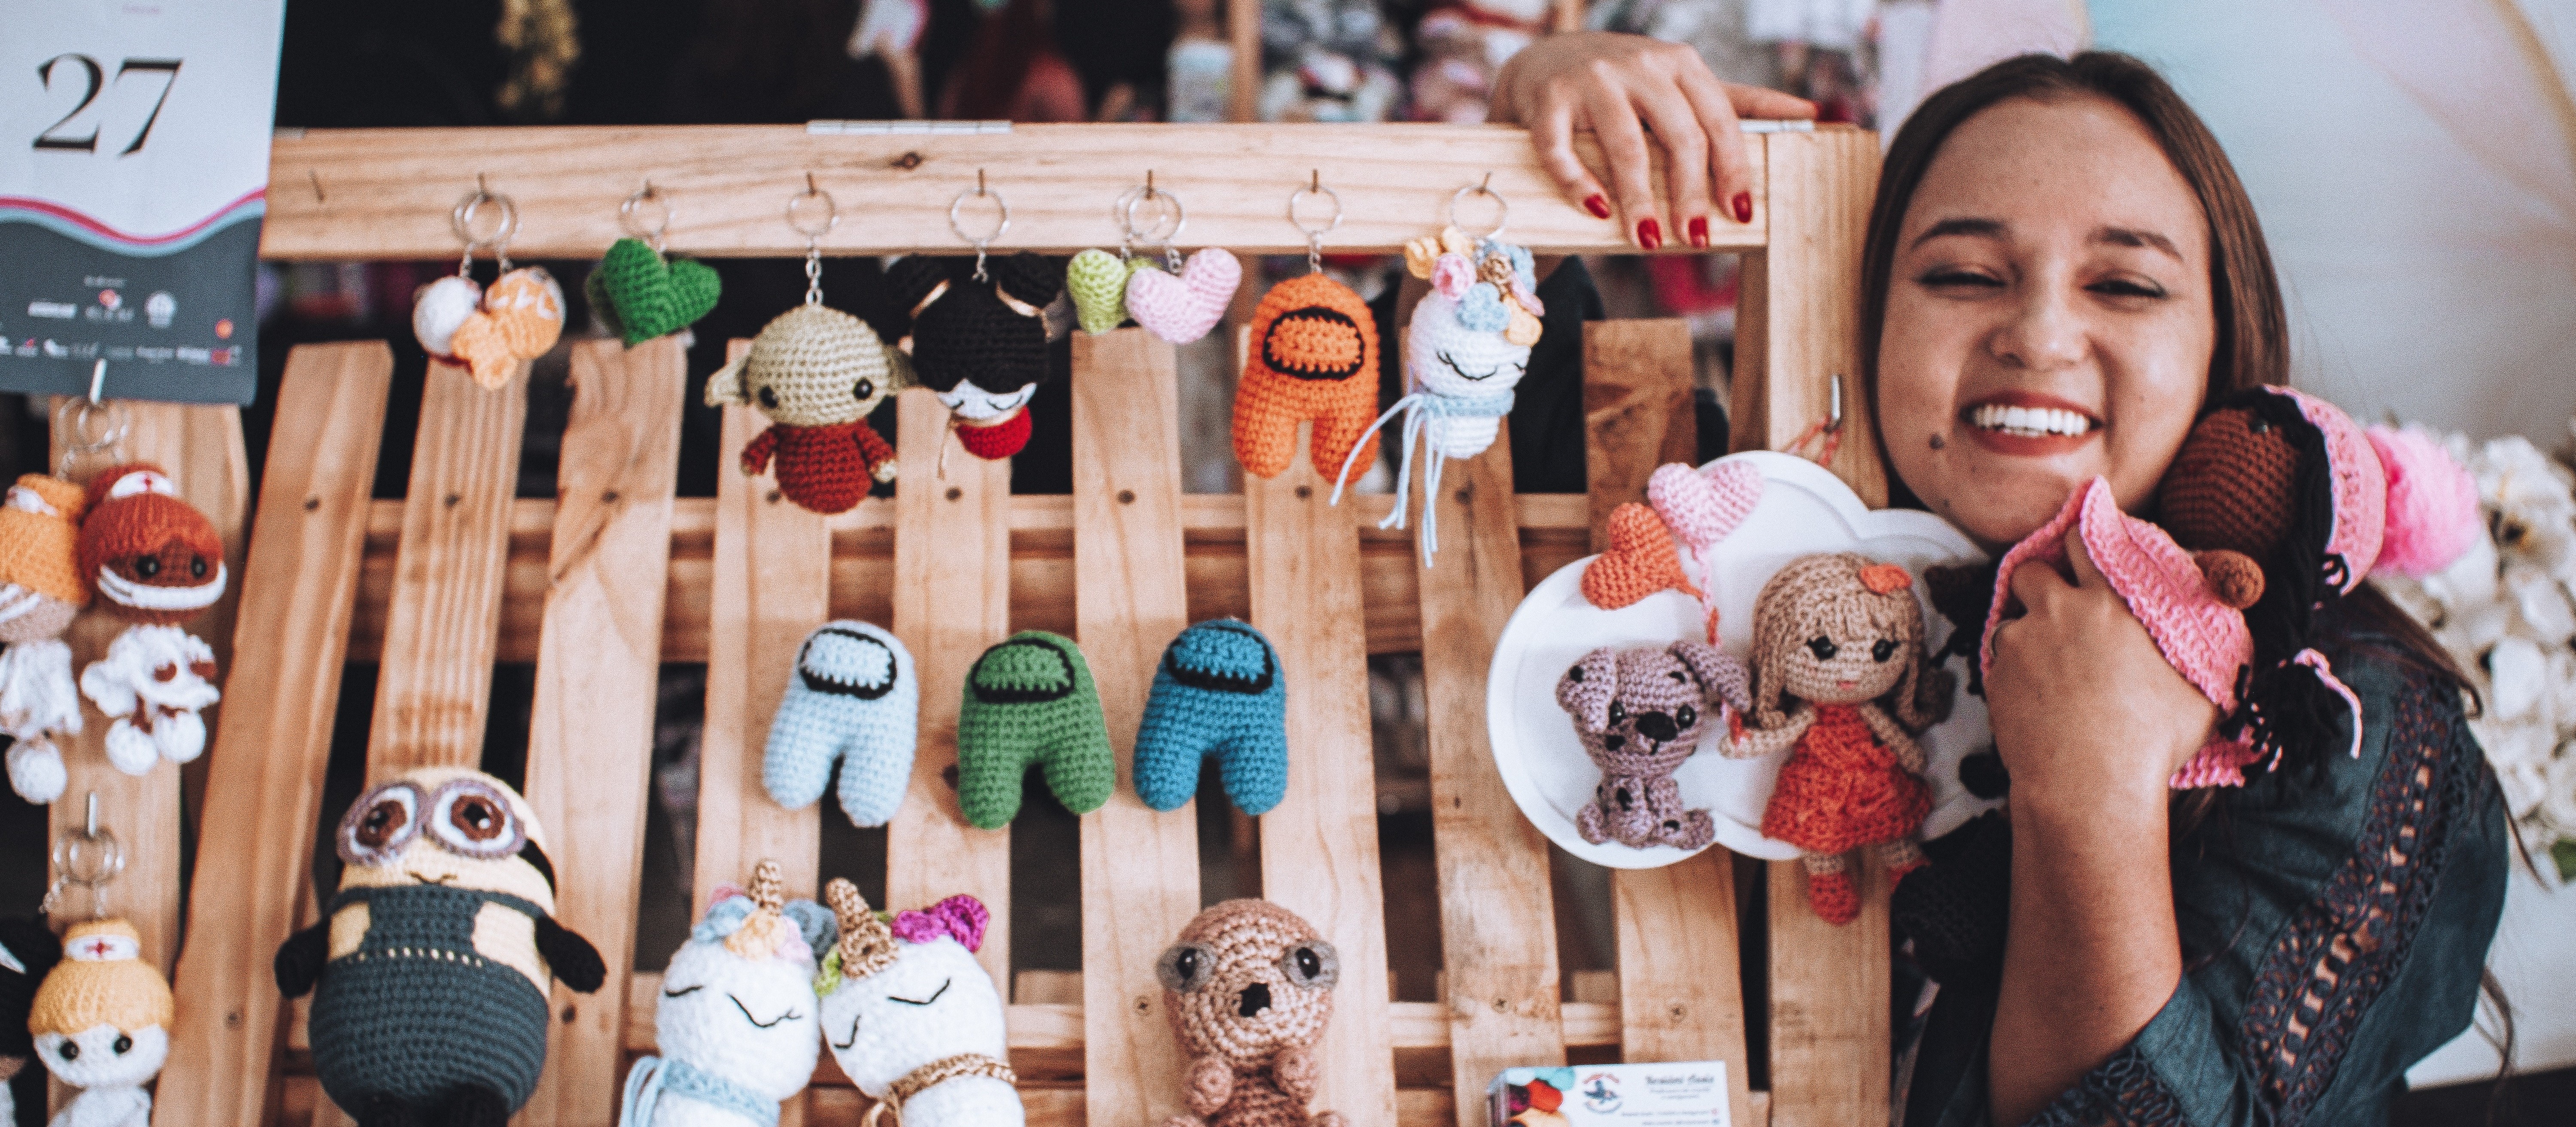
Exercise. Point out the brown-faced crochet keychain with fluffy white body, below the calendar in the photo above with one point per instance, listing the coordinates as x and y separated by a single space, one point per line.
156 562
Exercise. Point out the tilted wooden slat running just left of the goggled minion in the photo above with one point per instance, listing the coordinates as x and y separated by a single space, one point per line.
300 591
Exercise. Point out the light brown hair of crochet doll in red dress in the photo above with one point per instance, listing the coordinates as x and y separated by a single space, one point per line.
1851 596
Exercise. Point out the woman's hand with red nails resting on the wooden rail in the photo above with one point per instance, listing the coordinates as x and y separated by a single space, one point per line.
1622 89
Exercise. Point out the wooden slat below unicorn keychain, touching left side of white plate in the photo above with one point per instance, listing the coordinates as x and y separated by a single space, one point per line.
1498 912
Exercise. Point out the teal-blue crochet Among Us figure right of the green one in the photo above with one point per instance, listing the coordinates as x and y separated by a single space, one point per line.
1217 693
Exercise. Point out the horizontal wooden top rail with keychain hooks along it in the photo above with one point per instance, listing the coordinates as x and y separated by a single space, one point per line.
385 194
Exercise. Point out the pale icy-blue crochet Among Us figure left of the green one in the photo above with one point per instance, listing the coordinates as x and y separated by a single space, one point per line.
851 701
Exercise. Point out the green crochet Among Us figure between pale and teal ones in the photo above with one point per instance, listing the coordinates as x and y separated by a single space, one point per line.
1032 701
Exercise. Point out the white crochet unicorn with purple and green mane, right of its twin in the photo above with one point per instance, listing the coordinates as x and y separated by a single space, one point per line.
913 1018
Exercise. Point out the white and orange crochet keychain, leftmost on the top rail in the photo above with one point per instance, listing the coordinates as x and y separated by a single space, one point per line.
488 331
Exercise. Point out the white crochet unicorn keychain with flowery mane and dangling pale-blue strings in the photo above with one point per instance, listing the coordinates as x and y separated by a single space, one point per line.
1467 351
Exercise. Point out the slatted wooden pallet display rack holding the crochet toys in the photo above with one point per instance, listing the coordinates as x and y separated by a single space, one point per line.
614 575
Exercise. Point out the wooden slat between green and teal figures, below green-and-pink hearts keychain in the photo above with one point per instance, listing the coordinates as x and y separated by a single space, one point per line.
1140 868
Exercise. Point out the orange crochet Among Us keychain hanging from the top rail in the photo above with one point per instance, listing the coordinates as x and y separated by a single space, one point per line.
1315 356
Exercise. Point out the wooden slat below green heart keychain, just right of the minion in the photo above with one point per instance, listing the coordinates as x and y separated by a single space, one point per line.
596 691
